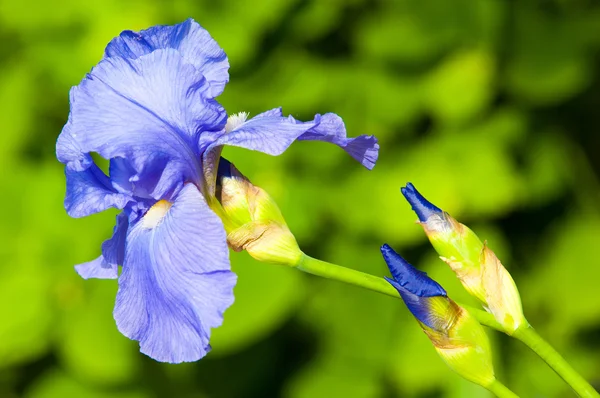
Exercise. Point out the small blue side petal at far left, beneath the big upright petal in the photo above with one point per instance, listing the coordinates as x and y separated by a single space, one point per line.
90 191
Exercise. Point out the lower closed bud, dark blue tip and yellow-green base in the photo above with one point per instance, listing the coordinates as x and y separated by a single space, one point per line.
456 335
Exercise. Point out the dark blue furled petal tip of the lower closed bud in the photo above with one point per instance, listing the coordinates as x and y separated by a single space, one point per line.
408 277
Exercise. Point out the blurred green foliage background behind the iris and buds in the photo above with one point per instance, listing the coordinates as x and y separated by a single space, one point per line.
491 107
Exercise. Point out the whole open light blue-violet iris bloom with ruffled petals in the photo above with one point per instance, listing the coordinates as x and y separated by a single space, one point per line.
149 108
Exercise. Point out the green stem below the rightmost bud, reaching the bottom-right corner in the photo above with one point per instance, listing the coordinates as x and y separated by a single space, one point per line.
545 351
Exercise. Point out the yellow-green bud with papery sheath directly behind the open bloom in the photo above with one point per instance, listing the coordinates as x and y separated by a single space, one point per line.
252 220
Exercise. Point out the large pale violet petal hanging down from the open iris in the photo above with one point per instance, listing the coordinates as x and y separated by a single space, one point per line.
176 281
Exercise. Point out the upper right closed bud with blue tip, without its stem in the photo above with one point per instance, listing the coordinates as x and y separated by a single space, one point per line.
477 267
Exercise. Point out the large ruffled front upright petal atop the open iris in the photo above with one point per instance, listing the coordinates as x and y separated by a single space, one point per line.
151 111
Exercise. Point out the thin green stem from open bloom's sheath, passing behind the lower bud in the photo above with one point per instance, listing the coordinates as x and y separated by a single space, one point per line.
357 278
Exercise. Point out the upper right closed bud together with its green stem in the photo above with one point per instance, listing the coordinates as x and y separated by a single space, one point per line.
485 278
